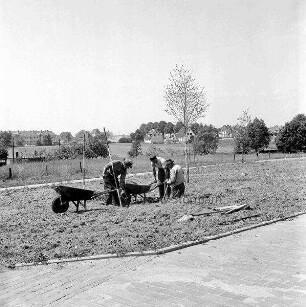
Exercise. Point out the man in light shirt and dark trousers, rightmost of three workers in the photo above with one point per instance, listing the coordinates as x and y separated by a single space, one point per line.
176 180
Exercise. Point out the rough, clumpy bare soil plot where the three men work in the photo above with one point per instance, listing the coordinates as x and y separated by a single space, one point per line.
30 231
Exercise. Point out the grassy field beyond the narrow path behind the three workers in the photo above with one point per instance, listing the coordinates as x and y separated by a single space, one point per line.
63 170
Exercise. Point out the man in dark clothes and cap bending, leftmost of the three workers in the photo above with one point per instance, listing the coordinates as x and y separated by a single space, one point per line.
112 172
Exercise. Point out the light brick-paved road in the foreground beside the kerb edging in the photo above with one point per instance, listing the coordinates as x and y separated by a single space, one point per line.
261 267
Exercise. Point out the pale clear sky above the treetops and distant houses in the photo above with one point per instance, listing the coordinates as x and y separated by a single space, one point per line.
68 65
